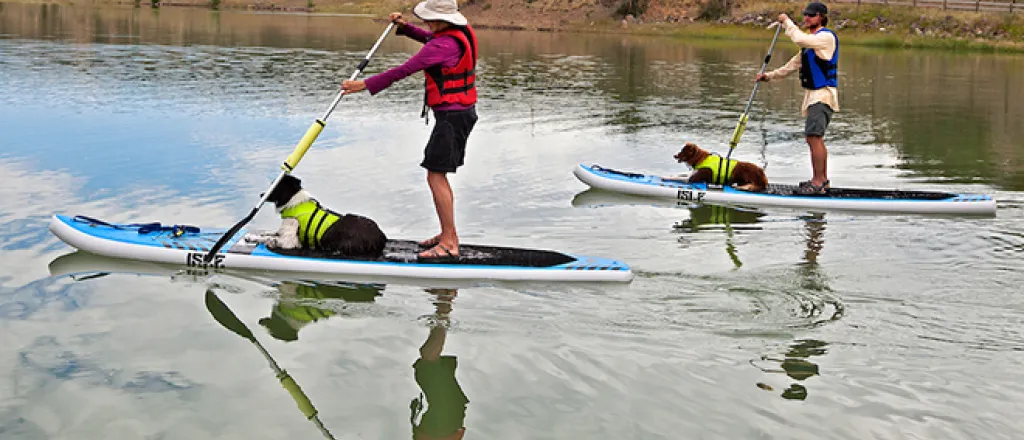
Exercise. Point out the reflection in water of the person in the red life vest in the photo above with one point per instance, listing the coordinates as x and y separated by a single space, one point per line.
446 403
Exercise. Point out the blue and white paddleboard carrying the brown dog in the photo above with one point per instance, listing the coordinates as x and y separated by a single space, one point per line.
888 201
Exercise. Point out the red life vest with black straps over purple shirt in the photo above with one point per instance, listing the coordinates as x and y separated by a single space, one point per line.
457 84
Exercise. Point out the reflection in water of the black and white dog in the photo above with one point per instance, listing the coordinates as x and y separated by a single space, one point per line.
302 304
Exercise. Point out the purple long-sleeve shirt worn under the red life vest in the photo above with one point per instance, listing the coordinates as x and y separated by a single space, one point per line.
445 52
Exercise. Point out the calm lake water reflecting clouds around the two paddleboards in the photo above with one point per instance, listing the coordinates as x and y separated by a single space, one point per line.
740 324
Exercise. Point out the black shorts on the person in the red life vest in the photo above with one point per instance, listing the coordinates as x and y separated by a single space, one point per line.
446 151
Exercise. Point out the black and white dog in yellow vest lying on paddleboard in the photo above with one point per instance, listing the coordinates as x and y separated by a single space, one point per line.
306 225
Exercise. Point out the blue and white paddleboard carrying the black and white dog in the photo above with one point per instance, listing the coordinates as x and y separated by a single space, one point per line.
188 246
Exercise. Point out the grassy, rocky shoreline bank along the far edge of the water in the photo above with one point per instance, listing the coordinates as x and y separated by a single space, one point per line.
866 26
